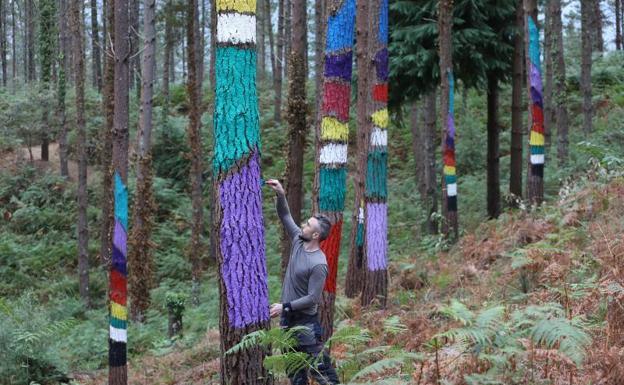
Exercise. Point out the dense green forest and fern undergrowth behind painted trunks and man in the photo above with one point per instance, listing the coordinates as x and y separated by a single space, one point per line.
525 287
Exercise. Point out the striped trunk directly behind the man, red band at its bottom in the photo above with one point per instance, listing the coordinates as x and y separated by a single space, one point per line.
332 138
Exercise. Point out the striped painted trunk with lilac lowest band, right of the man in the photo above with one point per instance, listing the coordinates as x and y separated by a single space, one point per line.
375 286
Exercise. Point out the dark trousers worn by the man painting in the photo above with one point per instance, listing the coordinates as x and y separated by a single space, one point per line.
310 342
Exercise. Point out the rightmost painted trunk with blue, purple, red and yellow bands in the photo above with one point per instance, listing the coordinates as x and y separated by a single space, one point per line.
535 172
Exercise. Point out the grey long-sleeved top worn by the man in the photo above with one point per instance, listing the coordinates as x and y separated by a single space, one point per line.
307 270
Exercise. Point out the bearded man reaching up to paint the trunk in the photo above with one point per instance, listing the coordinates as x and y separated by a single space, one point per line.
303 286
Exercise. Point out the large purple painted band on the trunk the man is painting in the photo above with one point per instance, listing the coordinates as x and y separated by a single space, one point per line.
242 246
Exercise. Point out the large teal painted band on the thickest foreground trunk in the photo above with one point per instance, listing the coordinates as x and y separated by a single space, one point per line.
236 118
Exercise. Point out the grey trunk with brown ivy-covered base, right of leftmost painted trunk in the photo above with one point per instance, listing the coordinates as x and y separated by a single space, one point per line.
140 254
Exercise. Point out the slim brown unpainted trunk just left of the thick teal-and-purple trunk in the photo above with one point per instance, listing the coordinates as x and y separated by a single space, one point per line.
195 144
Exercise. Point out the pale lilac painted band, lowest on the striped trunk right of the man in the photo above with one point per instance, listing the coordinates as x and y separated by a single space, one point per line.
376 235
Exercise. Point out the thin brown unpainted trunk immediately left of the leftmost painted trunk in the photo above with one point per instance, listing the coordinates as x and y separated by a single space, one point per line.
106 161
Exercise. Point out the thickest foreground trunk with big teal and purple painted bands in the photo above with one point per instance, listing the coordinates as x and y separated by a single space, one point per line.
238 218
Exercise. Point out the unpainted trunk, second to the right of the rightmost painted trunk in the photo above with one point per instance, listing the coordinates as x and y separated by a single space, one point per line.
586 65
